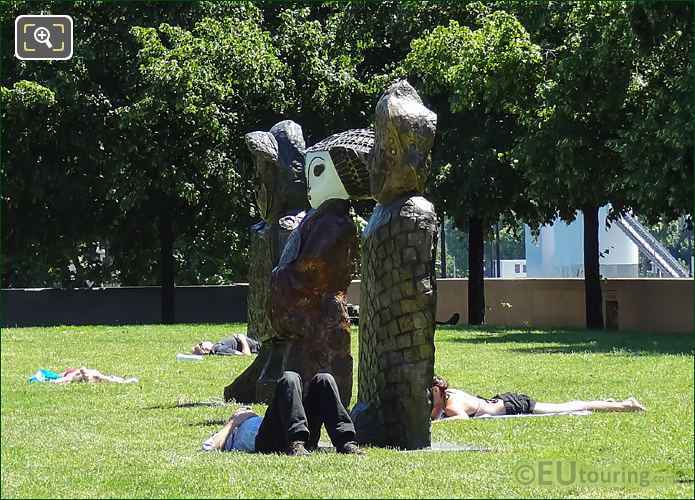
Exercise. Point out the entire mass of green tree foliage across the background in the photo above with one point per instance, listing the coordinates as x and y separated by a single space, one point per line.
544 108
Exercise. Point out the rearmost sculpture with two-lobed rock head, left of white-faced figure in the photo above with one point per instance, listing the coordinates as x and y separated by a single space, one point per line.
281 198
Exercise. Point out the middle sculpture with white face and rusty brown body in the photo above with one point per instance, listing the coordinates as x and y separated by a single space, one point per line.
307 302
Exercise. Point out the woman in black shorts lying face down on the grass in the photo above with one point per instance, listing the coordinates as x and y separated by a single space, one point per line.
456 404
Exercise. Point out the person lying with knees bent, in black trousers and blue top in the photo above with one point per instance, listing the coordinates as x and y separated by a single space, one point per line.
292 423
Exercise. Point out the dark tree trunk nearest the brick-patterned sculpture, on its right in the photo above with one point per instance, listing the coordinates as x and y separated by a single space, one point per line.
476 264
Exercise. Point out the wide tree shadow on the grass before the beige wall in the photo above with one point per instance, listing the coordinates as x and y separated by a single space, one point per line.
571 341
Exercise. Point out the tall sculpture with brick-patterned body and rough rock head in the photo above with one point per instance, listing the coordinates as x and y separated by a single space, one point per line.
398 291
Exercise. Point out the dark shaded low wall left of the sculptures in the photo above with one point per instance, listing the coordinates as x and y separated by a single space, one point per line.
121 306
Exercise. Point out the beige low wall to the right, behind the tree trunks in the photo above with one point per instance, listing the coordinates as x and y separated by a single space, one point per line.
657 305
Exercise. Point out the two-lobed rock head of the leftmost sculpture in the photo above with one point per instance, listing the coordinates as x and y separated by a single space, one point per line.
279 169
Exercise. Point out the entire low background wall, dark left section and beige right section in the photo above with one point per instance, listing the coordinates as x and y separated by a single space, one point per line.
656 304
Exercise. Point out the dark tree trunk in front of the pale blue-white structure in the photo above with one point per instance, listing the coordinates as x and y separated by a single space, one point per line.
592 279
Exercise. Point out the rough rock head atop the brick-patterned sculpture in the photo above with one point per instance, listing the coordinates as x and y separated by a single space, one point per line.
404 133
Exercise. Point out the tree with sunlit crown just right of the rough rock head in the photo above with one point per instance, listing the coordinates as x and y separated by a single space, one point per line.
477 81
